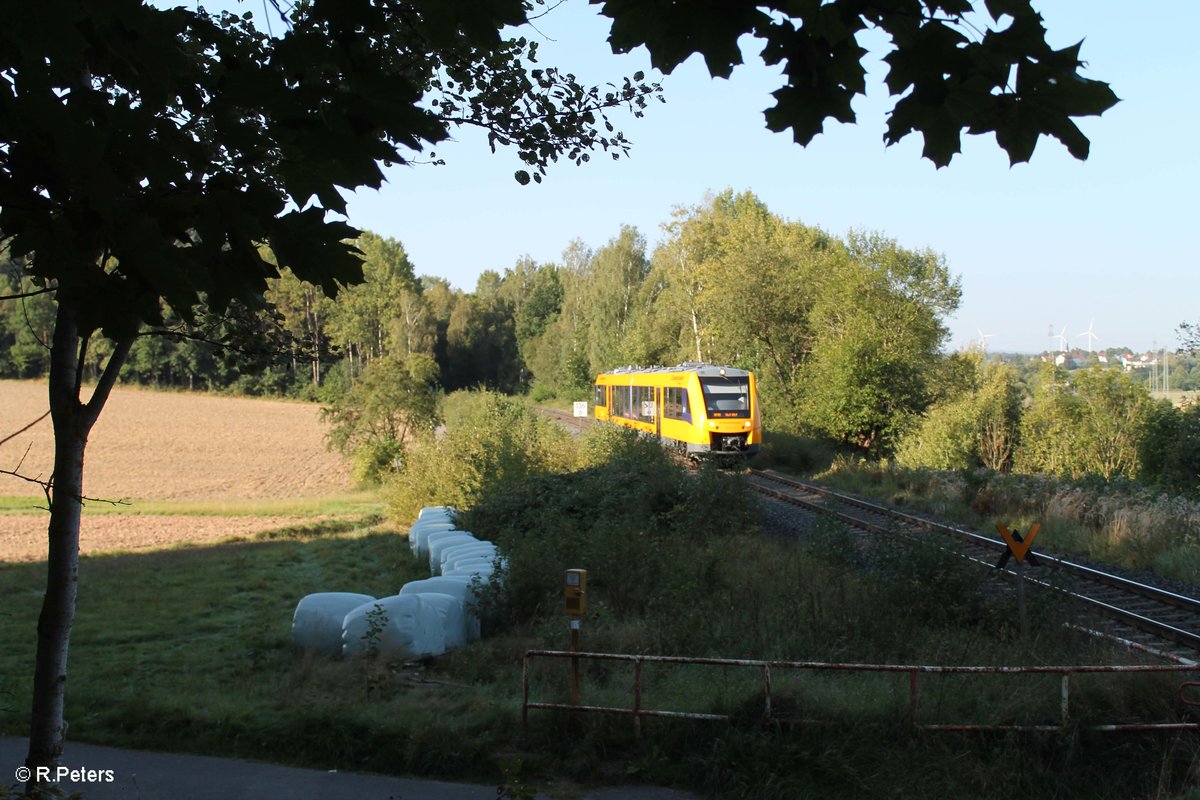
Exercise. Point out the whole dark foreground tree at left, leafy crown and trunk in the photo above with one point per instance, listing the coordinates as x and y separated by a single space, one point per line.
147 154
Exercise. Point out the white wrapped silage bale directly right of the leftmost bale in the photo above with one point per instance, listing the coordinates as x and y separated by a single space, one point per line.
393 628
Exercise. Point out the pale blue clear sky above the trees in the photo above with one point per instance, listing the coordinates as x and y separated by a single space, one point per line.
1055 243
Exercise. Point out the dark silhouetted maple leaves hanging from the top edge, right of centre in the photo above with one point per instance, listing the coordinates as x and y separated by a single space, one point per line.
980 67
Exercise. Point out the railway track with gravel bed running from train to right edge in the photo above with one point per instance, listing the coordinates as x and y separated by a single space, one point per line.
1142 616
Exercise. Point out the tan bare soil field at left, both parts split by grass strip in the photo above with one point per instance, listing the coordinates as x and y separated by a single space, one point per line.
169 447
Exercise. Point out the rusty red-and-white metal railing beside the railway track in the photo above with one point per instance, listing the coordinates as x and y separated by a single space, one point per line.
1189 691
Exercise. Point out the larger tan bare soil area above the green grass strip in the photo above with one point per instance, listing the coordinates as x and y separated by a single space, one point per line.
178 447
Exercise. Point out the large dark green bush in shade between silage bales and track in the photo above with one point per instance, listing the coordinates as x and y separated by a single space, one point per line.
631 516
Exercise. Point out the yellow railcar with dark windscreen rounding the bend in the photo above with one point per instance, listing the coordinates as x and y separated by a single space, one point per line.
699 410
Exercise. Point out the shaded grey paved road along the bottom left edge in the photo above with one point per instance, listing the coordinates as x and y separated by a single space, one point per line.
124 774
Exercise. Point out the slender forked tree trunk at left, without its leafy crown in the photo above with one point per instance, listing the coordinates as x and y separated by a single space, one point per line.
73 424
